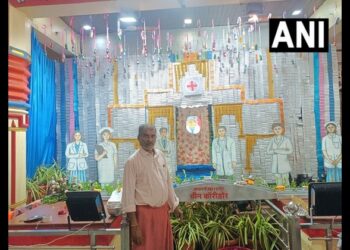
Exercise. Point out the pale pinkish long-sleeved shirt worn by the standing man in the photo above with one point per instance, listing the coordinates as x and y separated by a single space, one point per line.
146 181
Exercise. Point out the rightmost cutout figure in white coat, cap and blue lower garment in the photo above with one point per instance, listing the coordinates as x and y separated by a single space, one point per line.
331 149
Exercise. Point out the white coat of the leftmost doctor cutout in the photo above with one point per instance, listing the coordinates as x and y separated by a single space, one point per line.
76 157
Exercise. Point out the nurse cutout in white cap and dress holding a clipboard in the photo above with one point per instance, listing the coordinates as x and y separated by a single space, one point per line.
106 157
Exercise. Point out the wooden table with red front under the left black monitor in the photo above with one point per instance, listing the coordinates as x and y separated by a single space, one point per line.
53 221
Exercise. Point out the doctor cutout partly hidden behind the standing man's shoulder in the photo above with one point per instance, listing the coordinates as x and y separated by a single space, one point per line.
167 147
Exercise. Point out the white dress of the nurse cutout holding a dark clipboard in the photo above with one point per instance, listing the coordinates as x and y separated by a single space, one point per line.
107 166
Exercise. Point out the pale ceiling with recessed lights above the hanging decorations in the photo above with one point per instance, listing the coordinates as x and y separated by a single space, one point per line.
170 13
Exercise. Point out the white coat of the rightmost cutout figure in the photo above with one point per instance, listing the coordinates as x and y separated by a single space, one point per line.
331 146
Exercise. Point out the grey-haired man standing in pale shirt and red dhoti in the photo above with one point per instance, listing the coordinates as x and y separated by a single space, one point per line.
148 195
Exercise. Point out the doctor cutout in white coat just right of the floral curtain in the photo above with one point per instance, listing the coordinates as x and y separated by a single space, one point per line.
224 153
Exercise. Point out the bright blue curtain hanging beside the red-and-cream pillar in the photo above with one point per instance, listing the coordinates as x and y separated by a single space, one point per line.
41 133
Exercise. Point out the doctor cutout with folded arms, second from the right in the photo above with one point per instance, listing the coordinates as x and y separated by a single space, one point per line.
280 147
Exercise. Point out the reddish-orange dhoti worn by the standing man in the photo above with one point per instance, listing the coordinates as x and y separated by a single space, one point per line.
155 227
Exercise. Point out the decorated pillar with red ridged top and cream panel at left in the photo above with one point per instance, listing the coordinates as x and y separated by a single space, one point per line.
18 92
